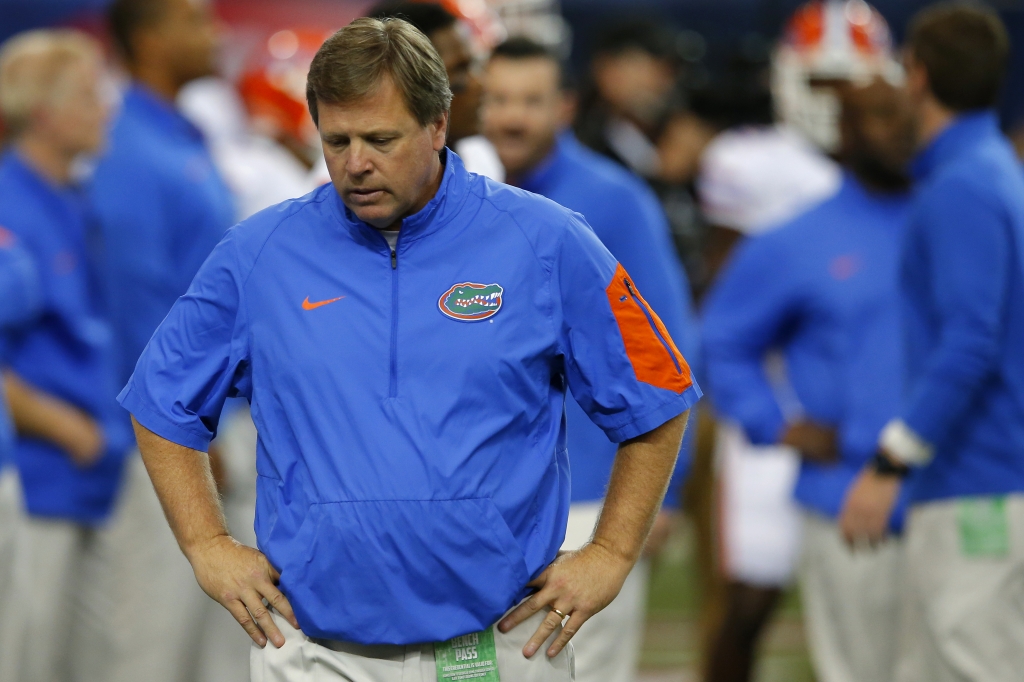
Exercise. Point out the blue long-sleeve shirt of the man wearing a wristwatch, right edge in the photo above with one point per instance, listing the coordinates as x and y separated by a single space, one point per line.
963 292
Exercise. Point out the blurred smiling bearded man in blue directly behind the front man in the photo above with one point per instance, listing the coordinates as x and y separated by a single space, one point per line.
525 115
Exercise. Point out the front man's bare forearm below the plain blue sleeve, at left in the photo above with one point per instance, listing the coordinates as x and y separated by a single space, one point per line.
185 485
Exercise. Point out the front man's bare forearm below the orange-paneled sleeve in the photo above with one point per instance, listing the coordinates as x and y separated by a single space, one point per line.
639 480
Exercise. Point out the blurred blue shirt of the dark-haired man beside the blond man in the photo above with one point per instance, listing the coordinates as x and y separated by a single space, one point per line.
162 208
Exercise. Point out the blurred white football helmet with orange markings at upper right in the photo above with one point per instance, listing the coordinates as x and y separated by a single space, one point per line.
827 42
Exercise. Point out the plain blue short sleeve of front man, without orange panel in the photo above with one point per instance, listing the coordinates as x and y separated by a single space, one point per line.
197 358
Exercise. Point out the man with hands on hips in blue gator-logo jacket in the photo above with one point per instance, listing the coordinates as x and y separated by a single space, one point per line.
406 337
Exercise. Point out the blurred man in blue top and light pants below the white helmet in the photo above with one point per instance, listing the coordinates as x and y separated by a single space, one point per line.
823 291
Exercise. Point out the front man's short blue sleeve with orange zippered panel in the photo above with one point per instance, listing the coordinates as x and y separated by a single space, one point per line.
622 366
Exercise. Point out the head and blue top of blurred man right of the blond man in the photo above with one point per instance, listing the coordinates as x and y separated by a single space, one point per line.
162 204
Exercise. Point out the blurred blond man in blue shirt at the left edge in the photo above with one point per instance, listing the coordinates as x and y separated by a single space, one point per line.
72 442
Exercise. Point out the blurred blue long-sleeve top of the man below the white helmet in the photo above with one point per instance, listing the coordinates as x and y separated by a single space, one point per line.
823 290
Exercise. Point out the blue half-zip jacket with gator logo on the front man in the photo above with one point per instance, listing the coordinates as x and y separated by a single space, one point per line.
413 474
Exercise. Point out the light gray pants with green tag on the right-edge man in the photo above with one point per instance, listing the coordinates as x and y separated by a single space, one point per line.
963 610
